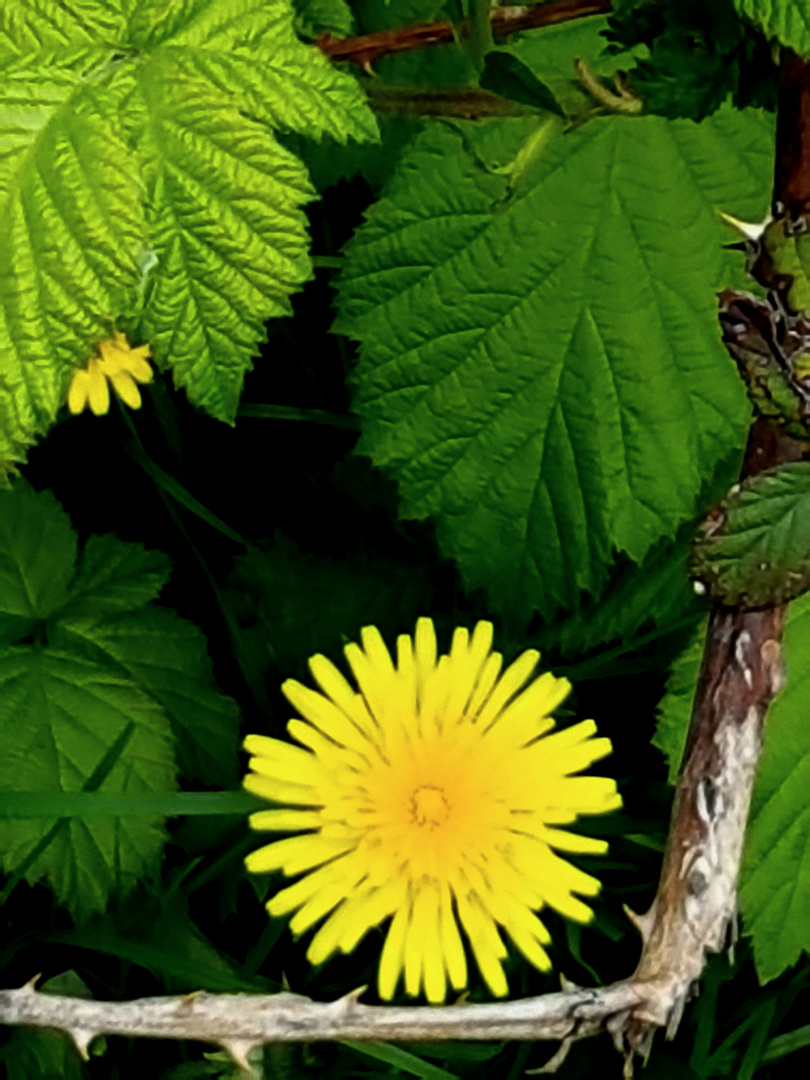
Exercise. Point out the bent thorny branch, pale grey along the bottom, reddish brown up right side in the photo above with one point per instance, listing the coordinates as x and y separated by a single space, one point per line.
696 901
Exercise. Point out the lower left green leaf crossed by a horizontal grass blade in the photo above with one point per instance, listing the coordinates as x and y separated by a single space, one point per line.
59 717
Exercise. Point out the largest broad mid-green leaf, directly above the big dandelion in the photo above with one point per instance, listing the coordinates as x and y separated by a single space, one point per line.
542 367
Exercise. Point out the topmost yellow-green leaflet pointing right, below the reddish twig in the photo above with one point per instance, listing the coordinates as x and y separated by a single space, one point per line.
250 49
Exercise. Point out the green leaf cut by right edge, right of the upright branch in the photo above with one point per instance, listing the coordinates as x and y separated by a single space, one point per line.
775 887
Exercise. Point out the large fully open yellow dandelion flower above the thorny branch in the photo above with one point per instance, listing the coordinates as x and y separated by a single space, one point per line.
434 796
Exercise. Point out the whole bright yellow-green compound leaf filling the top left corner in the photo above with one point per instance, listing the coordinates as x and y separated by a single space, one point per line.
107 109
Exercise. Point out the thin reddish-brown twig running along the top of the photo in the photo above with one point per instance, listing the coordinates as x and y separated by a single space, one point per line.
369 48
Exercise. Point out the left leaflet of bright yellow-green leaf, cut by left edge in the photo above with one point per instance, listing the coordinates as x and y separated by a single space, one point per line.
71 228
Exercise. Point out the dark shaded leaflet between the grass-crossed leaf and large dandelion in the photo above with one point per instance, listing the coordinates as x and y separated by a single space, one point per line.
167 657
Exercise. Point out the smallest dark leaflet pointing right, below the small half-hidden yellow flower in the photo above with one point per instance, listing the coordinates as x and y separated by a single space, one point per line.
116 576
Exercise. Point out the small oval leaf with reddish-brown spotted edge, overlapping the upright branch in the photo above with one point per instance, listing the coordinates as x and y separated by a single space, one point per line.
754 550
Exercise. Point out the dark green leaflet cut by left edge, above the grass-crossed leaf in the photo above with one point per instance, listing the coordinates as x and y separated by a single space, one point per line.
37 558
